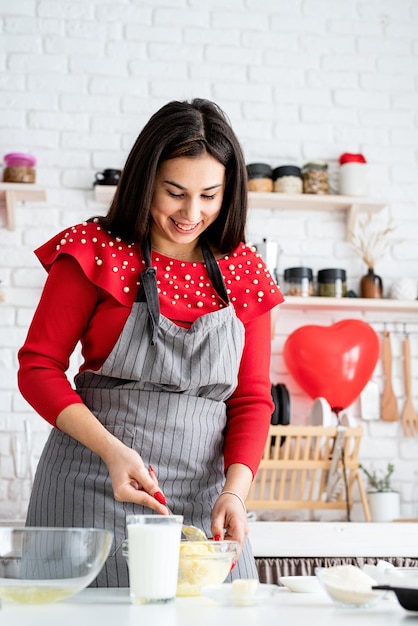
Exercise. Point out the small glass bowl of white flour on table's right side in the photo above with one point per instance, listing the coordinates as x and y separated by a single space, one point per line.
349 586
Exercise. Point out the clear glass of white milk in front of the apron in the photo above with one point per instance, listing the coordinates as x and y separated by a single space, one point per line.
153 553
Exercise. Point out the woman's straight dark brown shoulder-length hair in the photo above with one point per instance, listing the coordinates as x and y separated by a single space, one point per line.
181 129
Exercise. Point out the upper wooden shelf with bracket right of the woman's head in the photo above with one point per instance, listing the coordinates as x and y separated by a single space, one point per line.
350 204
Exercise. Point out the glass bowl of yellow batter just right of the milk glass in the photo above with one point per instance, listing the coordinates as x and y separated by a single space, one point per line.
201 563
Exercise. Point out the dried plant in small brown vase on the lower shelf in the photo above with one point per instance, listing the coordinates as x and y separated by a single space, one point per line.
370 242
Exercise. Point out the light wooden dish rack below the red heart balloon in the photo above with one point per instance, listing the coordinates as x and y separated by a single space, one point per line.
309 467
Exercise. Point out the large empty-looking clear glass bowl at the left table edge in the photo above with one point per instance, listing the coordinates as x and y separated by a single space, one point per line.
42 565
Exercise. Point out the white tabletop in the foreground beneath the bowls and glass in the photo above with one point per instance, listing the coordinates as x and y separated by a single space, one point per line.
112 607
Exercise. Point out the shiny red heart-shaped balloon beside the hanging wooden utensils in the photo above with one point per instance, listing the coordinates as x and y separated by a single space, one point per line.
333 362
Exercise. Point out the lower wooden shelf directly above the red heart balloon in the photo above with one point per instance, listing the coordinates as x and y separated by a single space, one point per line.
350 304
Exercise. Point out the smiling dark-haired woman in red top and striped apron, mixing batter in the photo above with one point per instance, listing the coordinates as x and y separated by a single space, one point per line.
172 403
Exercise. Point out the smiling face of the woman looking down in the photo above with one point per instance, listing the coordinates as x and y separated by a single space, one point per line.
187 198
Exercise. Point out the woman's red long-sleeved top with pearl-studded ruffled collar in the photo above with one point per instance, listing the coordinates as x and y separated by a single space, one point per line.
92 283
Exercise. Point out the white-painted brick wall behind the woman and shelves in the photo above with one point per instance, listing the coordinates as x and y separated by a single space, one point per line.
299 81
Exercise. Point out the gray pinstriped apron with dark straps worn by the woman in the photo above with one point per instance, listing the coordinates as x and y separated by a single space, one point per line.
161 391
